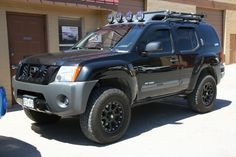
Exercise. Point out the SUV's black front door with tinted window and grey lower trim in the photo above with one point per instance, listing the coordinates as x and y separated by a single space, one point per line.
158 72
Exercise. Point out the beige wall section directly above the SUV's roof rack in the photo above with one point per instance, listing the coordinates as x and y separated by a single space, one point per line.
153 5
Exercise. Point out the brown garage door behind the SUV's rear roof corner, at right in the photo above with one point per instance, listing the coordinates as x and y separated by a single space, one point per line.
215 18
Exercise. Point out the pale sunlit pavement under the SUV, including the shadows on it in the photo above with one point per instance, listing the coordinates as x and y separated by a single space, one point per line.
167 129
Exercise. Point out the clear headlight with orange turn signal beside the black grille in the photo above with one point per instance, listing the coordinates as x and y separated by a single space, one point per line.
67 73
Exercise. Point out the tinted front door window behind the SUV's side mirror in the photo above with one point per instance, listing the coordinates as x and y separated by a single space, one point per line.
157 35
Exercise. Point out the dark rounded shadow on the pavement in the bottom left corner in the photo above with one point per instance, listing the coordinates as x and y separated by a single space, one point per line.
11 147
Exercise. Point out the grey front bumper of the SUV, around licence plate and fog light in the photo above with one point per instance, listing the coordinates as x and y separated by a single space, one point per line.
76 92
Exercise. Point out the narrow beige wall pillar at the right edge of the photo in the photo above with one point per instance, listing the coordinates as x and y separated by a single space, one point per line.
230 28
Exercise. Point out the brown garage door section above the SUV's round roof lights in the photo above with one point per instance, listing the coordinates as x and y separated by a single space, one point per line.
131 5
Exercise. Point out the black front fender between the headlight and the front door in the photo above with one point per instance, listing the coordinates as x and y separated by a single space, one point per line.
111 69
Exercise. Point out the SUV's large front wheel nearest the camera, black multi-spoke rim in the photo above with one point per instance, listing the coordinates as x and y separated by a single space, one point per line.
107 116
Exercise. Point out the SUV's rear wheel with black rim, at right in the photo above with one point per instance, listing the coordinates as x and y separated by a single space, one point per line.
203 97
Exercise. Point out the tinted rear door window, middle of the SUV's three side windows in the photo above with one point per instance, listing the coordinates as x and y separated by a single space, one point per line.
186 39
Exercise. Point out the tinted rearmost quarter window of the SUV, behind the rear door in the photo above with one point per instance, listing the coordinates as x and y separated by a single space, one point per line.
209 36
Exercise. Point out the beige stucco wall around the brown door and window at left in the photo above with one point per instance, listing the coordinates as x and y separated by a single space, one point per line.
91 19
